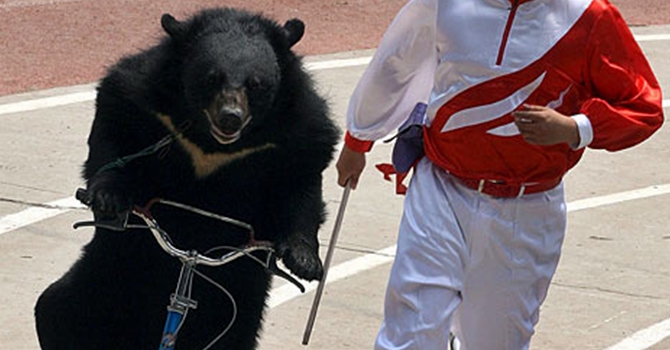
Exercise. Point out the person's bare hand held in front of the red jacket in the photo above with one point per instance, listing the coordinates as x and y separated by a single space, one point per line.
544 126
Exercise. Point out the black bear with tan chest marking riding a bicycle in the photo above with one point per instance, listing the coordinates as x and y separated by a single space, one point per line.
250 139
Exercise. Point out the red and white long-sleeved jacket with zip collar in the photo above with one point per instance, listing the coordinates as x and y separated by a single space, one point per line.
476 61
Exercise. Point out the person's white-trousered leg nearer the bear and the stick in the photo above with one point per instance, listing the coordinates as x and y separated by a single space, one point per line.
423 290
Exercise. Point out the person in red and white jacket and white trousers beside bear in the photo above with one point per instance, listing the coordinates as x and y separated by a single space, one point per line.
516 90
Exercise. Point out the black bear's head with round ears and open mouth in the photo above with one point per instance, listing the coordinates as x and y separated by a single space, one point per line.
231 65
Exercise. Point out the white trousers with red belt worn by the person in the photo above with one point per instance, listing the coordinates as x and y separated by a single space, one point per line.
484 263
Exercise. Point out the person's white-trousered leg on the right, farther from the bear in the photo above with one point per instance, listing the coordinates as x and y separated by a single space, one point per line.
515 250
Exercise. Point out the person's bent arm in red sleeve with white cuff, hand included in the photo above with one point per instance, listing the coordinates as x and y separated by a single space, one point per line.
626 106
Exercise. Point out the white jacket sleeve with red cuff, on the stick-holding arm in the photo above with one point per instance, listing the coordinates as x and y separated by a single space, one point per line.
400 74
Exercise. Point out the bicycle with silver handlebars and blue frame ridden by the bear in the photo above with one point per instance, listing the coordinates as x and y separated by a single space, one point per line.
181 301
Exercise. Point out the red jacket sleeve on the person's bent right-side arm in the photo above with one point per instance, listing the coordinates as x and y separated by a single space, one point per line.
626 103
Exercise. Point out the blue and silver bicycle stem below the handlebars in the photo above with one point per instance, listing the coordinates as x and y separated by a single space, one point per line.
180 303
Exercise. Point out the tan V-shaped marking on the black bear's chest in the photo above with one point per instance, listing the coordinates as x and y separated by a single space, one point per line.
204 164
